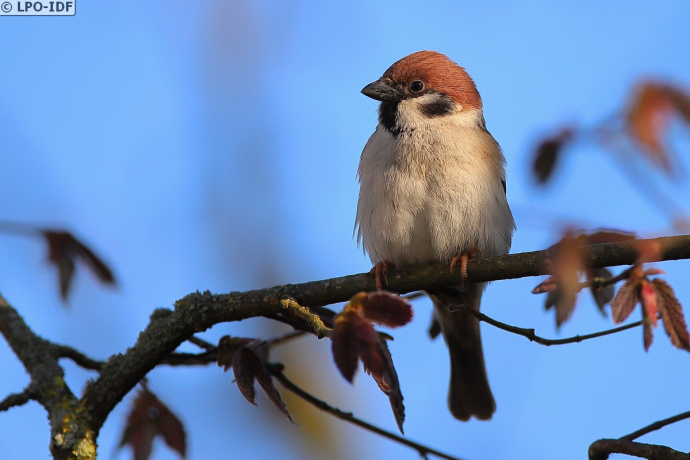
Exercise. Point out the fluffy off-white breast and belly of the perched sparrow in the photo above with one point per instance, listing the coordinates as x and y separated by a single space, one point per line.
433 192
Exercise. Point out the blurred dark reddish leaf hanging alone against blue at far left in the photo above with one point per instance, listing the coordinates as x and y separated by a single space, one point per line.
64 250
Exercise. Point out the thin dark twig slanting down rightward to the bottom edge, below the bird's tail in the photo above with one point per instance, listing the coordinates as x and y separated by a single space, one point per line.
347 416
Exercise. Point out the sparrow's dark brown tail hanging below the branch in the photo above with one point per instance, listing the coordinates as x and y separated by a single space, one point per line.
469 394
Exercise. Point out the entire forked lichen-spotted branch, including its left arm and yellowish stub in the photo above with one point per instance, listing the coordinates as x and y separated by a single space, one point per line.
198 312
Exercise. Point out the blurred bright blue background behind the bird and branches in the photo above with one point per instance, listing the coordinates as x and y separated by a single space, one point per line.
214 145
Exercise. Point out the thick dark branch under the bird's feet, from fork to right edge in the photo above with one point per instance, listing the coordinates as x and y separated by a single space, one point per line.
198 312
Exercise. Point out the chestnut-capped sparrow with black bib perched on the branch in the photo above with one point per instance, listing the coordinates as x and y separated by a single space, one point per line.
433 189
